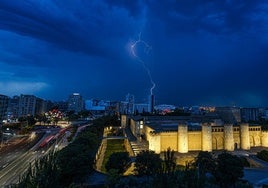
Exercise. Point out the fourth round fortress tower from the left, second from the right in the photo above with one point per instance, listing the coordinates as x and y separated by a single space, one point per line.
228 137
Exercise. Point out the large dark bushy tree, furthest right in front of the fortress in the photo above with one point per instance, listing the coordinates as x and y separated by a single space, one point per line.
229 169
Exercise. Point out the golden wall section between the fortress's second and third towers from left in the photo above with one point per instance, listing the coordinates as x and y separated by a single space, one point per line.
195 141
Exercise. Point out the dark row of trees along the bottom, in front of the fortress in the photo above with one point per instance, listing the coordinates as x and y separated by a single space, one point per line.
224 170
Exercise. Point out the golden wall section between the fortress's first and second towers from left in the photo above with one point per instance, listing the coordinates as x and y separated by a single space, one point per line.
169 139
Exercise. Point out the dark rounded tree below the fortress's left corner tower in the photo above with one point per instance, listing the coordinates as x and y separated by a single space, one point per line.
148 163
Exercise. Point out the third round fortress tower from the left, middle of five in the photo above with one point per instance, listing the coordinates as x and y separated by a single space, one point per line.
206 137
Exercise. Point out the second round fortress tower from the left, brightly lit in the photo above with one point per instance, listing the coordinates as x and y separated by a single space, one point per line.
183 138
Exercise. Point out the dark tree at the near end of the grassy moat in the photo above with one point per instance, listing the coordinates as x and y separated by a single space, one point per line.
118 161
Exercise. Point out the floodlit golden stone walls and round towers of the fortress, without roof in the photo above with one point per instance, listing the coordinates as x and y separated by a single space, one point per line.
227 137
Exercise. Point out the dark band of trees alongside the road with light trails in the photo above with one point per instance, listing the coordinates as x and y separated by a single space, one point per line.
71 165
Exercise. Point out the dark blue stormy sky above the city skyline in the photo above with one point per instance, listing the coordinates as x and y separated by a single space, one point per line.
202 52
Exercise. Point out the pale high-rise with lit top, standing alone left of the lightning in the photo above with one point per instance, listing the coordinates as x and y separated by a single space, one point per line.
75 103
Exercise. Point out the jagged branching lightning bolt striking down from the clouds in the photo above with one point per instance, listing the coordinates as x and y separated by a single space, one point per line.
147 49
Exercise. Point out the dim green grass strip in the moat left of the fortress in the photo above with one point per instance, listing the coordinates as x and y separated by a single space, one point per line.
113 146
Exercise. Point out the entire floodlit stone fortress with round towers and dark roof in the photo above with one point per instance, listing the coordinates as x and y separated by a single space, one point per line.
183 134
